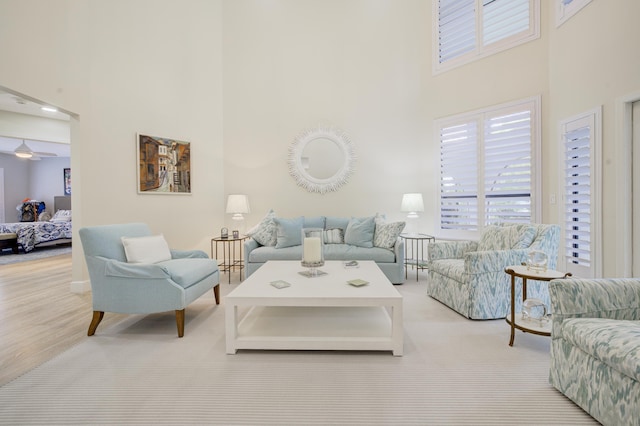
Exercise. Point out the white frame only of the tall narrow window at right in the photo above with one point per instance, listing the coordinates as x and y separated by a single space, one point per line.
594 118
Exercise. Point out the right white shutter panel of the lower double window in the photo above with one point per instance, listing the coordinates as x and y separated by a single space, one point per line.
507 167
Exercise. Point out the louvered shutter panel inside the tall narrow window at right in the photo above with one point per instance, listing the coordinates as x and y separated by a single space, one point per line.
577 188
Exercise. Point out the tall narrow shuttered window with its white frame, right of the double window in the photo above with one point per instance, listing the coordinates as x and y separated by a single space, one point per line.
581 148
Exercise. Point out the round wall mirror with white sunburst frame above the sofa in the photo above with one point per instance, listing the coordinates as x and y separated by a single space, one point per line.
321 159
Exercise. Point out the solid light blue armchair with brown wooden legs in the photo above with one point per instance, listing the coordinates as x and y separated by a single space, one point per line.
143 288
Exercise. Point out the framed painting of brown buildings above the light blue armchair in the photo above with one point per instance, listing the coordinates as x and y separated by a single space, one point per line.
164 165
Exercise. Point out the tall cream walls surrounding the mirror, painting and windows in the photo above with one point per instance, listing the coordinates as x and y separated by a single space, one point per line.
270 70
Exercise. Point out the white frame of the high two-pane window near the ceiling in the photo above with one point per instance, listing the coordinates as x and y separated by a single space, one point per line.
480 51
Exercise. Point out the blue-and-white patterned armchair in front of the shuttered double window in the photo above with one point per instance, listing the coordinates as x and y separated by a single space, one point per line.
469 277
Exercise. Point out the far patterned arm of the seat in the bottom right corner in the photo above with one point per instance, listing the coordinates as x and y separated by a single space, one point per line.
614 298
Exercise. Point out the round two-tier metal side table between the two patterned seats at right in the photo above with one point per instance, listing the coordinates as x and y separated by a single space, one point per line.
525 273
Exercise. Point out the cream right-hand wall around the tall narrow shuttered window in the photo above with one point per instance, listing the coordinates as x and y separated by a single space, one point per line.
593 60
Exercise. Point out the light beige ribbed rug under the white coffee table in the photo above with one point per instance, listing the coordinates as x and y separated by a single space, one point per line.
454 371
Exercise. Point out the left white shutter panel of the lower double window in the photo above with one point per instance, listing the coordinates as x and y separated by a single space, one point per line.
458 176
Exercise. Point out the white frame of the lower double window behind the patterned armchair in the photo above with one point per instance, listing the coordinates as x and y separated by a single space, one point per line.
533 104
